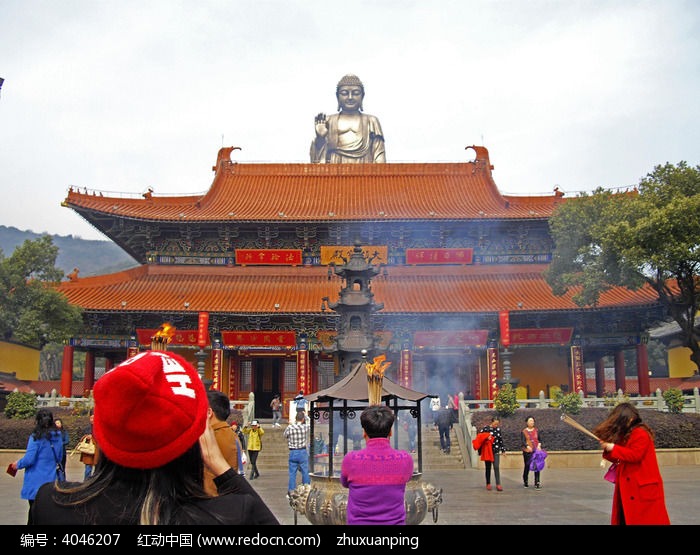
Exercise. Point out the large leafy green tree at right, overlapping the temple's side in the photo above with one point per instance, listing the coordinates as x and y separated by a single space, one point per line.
645 237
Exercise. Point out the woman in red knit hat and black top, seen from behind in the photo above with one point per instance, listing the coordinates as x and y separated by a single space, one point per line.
154 442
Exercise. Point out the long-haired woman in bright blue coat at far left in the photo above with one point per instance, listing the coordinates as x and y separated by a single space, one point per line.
43 453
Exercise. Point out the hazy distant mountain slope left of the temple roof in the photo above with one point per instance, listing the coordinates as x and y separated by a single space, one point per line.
91 257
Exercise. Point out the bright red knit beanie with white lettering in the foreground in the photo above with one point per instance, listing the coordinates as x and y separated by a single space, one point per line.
149 410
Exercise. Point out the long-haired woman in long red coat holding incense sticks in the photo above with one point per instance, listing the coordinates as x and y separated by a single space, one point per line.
639 489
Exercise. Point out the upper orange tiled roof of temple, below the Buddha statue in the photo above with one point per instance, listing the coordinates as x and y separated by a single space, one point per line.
322 192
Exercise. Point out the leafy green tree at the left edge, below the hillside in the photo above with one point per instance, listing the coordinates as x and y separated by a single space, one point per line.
32 312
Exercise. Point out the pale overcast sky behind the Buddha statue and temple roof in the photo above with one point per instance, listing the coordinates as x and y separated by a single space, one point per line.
120 96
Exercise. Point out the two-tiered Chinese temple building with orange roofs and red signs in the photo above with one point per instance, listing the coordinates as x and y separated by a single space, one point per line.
245 275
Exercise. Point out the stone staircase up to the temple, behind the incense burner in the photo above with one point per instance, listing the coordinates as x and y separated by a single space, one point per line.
274 454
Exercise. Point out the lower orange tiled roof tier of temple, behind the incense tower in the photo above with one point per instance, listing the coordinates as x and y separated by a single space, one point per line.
256 289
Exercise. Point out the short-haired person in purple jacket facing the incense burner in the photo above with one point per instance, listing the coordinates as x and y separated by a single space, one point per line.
376 476
